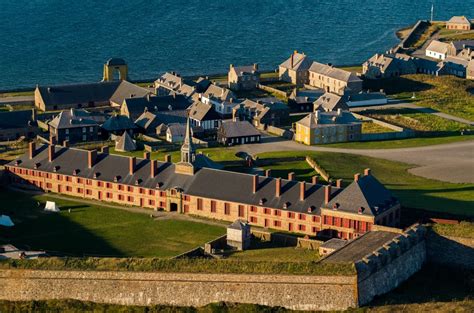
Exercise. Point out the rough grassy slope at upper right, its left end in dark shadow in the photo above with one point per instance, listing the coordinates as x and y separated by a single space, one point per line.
446 94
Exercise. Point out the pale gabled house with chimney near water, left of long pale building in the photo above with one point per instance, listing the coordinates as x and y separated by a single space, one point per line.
295 69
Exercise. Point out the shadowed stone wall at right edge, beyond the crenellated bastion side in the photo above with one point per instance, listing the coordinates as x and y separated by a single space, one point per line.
451 251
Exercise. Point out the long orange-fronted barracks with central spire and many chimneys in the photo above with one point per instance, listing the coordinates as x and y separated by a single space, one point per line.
194 186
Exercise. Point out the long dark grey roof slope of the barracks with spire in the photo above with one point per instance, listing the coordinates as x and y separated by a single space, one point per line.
210 183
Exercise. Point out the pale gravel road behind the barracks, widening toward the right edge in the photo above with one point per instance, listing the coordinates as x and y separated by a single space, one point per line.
452 162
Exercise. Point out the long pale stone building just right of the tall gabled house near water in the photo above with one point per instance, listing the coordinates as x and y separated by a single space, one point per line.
332 79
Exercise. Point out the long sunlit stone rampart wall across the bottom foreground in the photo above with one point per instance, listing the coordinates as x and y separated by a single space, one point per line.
184 289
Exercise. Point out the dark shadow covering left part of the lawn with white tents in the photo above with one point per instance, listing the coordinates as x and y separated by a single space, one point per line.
54 233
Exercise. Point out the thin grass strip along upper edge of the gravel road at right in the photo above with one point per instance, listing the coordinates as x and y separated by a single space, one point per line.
401 143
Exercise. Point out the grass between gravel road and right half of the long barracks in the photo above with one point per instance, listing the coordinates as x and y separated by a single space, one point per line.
413 191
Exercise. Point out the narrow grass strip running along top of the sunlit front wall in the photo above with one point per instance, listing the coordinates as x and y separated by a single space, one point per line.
181 266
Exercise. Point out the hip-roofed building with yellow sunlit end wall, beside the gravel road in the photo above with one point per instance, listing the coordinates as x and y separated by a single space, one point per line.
328 127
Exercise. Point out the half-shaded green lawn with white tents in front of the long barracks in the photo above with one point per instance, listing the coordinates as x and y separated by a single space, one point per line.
98 230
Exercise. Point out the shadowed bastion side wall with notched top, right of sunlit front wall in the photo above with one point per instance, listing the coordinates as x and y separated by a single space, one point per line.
390 265
